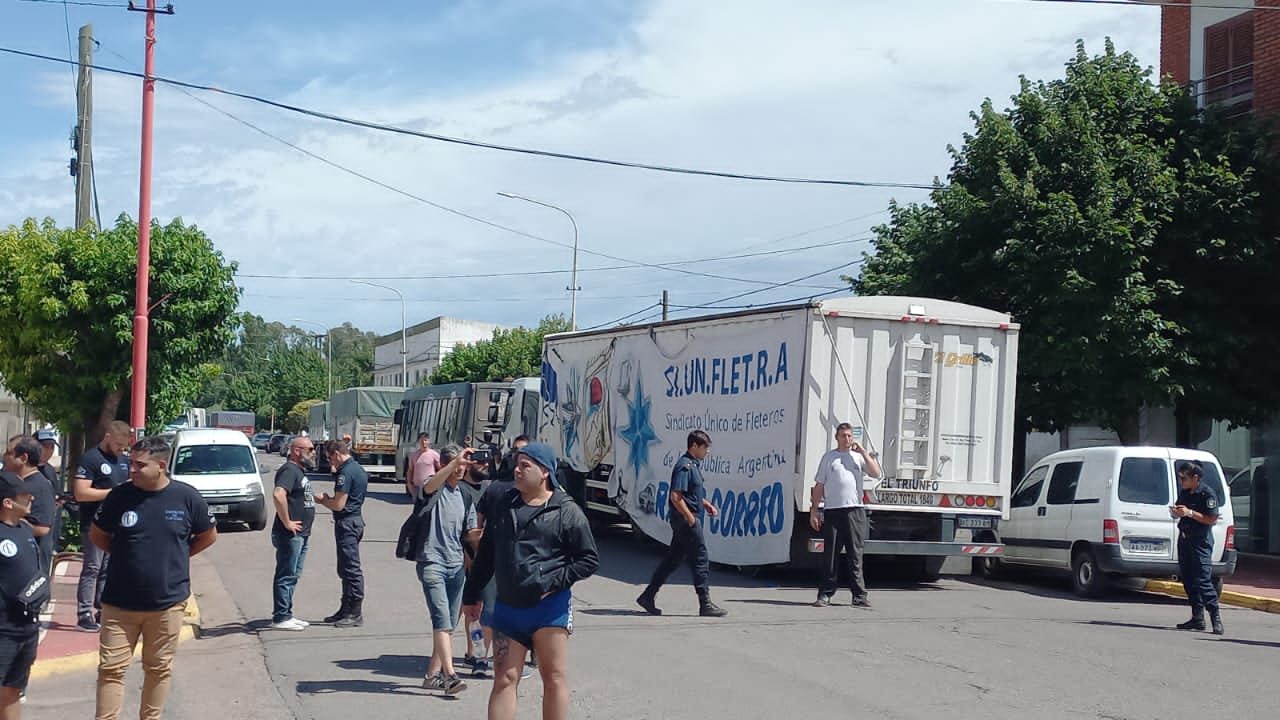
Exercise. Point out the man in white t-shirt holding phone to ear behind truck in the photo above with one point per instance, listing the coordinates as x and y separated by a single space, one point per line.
839 514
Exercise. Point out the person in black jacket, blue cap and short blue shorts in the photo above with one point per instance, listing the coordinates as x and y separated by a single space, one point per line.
537 545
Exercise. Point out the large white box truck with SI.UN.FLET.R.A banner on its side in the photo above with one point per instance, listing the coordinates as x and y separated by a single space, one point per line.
927 385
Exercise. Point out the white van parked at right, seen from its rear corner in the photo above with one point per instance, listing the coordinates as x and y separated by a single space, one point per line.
1104 512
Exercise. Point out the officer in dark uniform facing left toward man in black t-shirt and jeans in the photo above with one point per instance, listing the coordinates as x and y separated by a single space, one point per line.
350 485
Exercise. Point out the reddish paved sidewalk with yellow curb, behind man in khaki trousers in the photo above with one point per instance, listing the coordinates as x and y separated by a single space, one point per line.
63 646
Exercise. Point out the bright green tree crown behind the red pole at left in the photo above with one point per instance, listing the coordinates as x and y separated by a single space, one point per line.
67 318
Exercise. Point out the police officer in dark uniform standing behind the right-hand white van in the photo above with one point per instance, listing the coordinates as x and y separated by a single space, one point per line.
1197 512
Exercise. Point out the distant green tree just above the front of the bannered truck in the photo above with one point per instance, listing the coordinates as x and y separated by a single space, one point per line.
516 353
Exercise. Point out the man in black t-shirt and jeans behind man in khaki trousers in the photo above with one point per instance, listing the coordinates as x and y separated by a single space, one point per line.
98 472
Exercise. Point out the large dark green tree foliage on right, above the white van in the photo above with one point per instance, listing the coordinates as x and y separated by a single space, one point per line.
1099 209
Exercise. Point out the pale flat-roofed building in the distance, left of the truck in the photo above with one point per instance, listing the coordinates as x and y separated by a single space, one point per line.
427 344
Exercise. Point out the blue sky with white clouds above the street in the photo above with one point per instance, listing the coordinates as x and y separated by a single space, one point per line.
853 90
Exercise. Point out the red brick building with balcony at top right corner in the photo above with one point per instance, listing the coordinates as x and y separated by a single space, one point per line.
1228 52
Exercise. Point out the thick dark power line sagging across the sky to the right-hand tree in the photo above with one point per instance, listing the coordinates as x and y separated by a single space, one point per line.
468 143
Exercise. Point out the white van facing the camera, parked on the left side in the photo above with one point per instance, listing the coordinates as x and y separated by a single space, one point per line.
221 464
